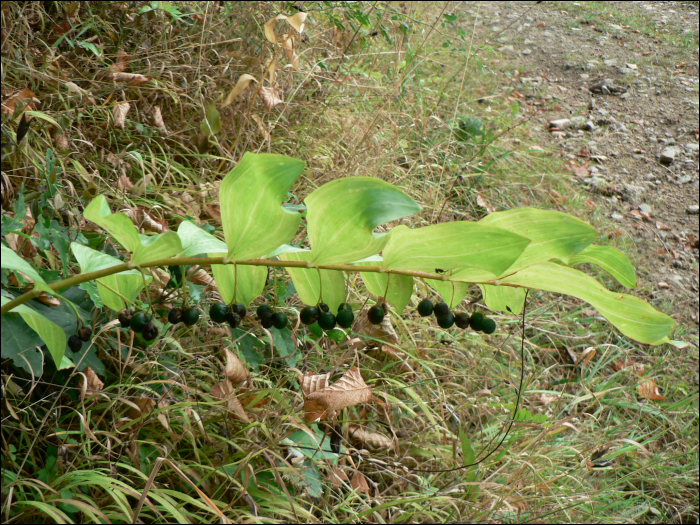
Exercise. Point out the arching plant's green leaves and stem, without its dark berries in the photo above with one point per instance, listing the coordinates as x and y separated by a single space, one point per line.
505 253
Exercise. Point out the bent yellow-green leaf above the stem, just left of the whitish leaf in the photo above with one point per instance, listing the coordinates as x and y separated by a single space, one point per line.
144 248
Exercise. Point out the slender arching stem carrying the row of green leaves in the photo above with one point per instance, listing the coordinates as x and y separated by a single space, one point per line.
208 261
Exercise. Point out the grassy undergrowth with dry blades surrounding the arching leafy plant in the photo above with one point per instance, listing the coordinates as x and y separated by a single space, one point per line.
411 93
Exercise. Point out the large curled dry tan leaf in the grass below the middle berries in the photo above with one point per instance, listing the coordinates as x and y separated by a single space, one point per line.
349 390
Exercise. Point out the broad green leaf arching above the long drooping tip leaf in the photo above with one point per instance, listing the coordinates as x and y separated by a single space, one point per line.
554 235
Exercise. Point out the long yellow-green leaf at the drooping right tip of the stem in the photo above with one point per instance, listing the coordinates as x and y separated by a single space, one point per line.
632 316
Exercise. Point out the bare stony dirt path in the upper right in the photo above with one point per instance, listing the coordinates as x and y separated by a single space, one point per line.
624 78
